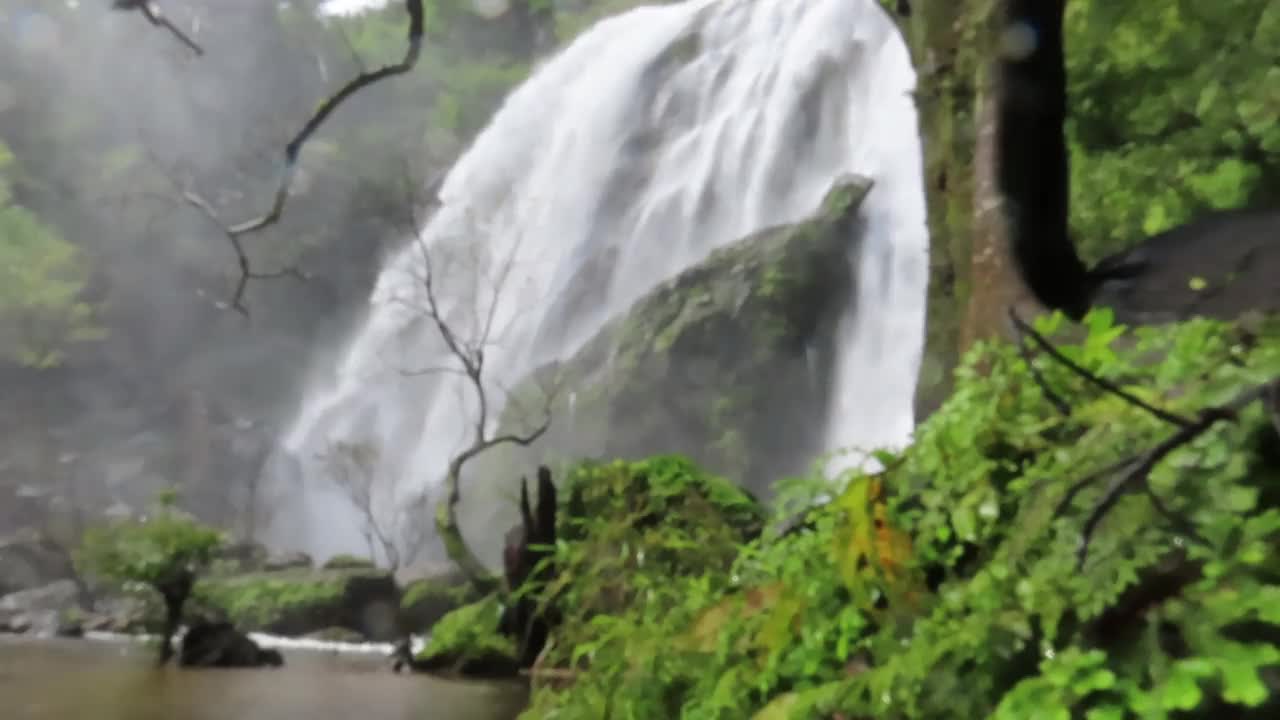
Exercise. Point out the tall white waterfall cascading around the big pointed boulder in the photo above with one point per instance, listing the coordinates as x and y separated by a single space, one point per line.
656 138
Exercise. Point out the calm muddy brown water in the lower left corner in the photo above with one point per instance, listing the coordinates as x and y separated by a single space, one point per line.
111 681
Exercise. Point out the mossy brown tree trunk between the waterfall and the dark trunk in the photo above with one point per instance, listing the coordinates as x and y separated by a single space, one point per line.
972 280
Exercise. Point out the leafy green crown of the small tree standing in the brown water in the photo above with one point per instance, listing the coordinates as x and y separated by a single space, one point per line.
149 552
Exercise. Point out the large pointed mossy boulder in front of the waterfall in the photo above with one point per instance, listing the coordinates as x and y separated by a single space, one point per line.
728 363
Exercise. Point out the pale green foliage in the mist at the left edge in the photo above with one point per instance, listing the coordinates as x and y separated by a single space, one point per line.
43 279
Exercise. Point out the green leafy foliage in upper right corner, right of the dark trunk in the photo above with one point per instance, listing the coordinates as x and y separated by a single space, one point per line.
1174 110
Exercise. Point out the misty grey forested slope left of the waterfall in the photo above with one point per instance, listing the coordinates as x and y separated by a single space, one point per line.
109 121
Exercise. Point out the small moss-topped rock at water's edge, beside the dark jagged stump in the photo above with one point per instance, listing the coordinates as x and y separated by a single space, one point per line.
467 642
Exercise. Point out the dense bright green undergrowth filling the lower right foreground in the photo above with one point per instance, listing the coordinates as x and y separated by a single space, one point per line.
947 584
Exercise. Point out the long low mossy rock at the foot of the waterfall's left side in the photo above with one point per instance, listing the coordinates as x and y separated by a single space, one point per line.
296 603
